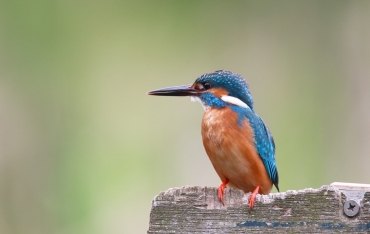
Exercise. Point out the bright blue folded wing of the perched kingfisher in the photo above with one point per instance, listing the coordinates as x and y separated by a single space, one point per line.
264 142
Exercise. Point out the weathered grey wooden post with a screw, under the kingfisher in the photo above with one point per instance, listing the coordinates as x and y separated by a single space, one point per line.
340 207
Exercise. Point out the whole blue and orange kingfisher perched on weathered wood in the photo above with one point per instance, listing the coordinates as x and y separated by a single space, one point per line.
237 141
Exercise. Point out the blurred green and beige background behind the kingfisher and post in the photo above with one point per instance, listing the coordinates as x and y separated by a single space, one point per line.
83 149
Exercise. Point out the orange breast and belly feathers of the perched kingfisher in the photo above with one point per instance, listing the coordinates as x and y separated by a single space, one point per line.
231 149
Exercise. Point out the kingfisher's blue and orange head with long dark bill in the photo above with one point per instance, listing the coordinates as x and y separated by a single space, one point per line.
216 89
